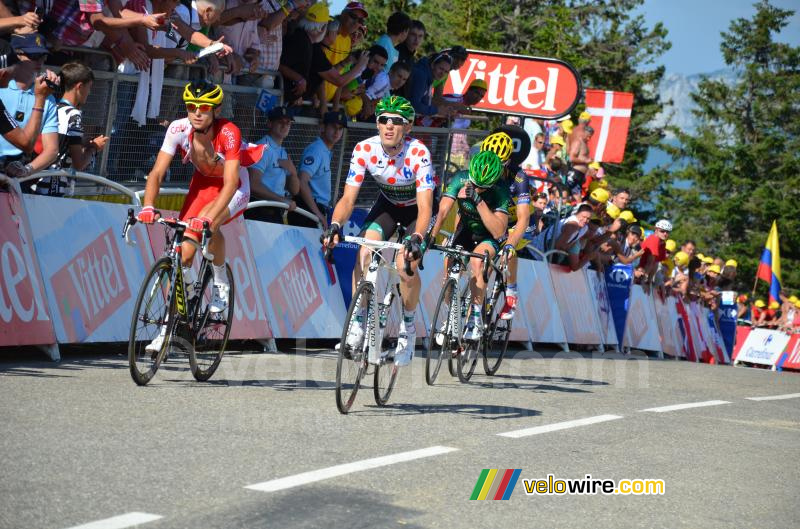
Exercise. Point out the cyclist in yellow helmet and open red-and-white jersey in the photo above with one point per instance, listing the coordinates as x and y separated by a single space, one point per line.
220 187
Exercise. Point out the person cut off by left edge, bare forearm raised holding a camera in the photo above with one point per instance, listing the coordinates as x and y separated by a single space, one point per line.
22 138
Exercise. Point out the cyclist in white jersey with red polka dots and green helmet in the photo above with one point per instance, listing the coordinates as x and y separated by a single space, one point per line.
402 168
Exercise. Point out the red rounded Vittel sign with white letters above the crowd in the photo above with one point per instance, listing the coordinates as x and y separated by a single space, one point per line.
517 84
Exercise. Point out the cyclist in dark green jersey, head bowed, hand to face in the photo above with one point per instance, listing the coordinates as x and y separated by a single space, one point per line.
483 202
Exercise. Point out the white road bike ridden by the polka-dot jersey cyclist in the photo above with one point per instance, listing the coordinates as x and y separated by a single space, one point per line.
379 310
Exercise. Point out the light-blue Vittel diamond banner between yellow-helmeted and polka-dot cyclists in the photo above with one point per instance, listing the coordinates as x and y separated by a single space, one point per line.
302 290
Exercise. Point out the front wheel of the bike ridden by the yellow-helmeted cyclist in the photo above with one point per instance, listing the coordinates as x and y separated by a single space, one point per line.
153 316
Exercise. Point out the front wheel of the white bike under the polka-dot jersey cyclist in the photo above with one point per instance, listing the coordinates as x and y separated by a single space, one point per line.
352 361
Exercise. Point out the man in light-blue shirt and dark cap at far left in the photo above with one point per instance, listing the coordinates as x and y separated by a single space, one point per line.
21 103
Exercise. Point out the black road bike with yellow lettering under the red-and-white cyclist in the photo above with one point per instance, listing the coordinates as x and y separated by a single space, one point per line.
179 313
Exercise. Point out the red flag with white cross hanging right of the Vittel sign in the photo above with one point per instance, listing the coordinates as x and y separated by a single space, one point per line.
611 117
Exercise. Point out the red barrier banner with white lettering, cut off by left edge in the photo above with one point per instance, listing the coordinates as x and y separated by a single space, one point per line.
24 316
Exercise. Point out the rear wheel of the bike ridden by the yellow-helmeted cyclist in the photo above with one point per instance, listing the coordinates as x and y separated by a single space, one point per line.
210 331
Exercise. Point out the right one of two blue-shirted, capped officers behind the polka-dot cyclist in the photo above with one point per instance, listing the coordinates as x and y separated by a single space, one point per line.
315 171
